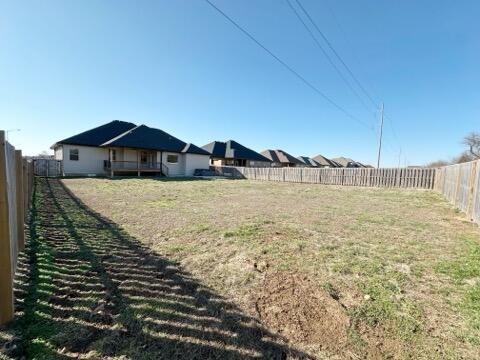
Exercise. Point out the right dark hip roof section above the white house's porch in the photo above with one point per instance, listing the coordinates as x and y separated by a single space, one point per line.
144 137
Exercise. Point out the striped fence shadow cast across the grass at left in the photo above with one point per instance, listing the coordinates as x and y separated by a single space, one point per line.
88 289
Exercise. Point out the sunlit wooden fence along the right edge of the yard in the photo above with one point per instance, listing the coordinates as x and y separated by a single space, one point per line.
460 184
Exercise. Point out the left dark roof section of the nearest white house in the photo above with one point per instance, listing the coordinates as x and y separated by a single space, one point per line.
100 134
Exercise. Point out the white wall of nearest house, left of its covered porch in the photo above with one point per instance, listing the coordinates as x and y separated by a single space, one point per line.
90 160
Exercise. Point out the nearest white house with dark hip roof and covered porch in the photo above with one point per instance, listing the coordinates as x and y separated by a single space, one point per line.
123 148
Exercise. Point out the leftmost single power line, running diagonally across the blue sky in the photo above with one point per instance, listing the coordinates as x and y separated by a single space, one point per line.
286 66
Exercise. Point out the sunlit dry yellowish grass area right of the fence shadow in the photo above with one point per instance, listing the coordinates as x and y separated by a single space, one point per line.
382 272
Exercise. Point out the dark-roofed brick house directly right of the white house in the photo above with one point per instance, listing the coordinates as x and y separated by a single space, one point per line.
231 153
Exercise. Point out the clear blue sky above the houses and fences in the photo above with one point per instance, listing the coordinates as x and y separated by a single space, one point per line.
67 66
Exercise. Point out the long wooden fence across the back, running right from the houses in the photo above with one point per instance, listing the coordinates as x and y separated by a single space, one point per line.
406 178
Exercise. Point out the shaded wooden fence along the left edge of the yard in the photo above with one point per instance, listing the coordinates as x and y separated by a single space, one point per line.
16 183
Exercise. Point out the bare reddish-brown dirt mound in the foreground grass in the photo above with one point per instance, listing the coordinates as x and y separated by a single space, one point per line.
303 312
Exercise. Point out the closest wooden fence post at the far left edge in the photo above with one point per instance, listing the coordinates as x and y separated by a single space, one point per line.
6 275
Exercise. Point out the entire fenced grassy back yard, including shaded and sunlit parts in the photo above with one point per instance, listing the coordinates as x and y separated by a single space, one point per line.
239 269
